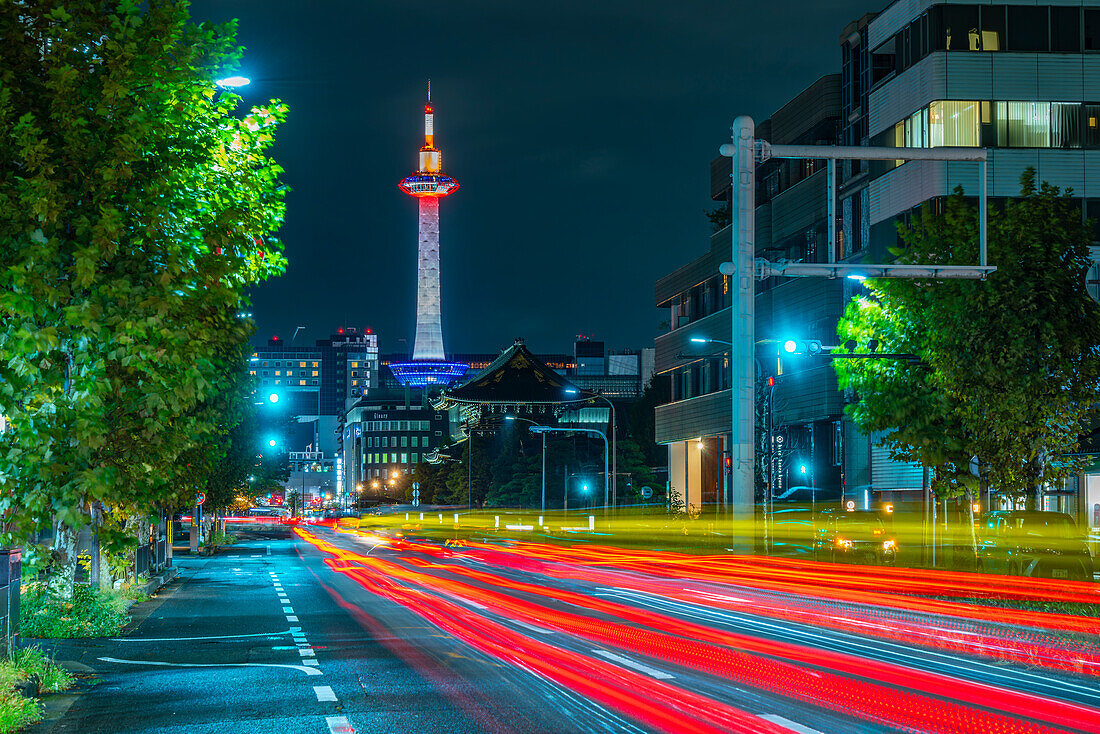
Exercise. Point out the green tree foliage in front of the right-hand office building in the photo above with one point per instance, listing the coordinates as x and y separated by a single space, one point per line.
1009 366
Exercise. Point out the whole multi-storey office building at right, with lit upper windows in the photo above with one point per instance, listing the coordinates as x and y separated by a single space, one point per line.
1020 80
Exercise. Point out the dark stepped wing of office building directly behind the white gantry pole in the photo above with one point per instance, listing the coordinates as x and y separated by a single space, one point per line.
808 409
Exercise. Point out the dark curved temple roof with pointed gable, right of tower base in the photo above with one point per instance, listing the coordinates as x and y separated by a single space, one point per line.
516 377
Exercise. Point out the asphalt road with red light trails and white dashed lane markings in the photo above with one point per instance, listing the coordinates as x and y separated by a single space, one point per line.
334 632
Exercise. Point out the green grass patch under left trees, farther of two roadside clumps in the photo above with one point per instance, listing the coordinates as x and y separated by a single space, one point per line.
90 614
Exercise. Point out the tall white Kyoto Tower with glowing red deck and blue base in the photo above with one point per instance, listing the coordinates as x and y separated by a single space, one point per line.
430 184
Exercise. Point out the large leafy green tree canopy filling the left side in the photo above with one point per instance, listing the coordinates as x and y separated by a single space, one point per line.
135 210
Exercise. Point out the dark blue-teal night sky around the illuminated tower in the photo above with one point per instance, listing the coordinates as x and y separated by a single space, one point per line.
581 135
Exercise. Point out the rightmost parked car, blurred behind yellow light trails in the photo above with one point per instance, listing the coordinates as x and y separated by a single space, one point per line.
1035 544
